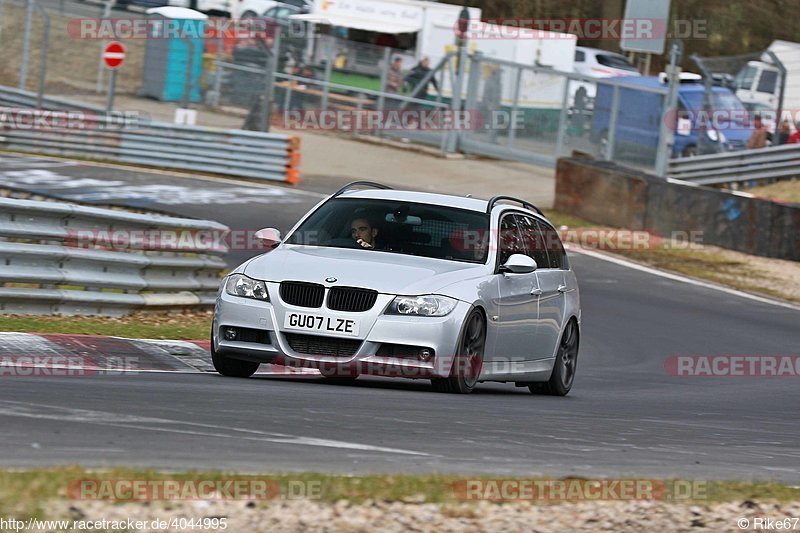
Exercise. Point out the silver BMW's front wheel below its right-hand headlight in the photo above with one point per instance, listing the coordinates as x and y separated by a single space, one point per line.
469 358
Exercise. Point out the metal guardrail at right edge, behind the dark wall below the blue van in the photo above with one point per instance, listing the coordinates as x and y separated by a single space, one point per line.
731 167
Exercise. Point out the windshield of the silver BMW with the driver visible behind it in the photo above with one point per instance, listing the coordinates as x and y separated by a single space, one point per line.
397 227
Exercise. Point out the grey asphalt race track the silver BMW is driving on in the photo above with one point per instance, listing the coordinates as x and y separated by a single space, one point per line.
626 415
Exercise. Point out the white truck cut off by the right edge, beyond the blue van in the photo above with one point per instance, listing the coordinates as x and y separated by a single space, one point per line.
758 84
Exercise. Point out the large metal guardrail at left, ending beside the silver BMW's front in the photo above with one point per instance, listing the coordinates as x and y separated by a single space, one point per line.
62 258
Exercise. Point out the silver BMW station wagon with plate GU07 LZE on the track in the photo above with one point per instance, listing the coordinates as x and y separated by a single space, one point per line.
376 281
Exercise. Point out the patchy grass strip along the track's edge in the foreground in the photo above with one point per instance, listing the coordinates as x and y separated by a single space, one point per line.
27 493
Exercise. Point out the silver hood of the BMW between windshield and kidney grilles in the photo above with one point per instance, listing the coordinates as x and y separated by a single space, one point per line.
385 272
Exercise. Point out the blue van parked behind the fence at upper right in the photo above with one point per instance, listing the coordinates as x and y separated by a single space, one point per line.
641 111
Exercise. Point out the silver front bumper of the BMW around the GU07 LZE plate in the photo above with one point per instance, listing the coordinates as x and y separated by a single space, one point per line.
377 332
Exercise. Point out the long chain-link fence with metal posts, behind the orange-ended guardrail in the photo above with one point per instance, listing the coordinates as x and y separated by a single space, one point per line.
509 110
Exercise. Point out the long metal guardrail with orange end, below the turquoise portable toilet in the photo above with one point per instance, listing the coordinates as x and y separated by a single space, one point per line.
268 156
